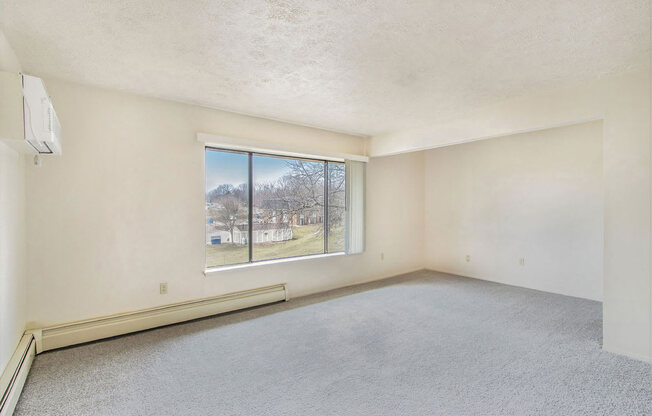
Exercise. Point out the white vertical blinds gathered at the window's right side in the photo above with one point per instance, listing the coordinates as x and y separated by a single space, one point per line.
355 183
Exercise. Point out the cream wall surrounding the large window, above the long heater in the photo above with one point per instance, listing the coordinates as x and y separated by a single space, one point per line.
123 209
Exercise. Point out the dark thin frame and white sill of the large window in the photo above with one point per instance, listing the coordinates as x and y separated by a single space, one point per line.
250 196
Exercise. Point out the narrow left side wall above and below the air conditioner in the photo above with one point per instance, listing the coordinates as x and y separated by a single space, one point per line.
12 235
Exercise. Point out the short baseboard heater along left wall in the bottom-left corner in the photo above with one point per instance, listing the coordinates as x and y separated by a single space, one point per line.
13 378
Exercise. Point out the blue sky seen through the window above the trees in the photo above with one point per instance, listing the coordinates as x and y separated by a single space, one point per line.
226 167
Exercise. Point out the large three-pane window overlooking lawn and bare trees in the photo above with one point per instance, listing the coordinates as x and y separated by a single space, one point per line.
263 207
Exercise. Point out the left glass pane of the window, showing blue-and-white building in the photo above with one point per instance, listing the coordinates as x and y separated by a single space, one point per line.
227 208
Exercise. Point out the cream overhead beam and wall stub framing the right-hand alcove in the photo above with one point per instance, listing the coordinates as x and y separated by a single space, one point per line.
623 102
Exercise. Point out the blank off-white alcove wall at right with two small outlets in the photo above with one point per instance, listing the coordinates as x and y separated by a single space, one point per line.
537 196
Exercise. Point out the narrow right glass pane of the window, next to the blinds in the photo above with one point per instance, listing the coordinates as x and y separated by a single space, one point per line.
336 207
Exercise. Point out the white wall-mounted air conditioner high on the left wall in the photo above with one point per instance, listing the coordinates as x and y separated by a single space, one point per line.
27 118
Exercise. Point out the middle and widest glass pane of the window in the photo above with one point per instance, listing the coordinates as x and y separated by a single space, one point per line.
288 207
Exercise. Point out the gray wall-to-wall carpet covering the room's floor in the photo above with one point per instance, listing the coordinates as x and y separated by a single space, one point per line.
419 344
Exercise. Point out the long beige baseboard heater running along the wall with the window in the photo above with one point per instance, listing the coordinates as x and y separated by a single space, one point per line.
109 326
